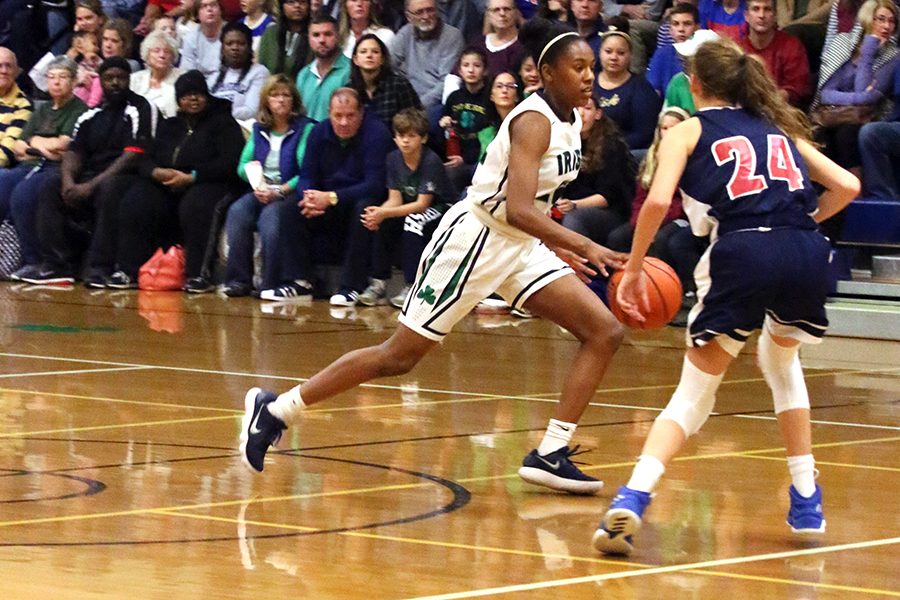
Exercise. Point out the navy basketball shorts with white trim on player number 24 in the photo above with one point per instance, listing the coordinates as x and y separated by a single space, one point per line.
777 278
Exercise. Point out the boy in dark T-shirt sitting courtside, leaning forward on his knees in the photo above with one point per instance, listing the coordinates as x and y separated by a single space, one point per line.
419 193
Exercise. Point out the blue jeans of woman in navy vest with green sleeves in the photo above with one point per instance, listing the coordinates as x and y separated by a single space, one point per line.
280 263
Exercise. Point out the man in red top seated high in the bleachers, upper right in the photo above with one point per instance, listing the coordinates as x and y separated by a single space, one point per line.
784 54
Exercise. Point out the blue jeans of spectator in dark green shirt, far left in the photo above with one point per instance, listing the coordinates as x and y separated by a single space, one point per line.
18 201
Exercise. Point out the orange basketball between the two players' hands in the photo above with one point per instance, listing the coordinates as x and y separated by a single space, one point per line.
663 291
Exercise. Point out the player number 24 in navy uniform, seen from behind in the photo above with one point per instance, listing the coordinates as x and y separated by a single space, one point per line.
745 167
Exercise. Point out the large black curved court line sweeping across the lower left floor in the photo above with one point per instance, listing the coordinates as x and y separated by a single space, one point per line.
461 497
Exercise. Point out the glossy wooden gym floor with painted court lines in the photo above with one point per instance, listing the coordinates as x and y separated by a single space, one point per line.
119 477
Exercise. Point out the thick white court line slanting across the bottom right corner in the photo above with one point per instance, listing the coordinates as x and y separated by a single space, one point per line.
555 583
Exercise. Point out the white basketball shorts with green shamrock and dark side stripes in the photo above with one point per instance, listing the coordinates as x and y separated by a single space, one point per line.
464 263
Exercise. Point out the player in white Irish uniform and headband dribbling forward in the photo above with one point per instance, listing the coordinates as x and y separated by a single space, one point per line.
499 239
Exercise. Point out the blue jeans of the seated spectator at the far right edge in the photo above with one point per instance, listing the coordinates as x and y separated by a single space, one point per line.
879 148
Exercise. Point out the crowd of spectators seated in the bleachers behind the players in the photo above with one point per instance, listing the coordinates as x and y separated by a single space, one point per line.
337 133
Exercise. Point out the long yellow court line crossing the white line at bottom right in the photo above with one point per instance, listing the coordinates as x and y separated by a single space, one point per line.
524 553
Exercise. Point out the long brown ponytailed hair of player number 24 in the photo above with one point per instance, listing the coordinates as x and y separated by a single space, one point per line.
725 72
